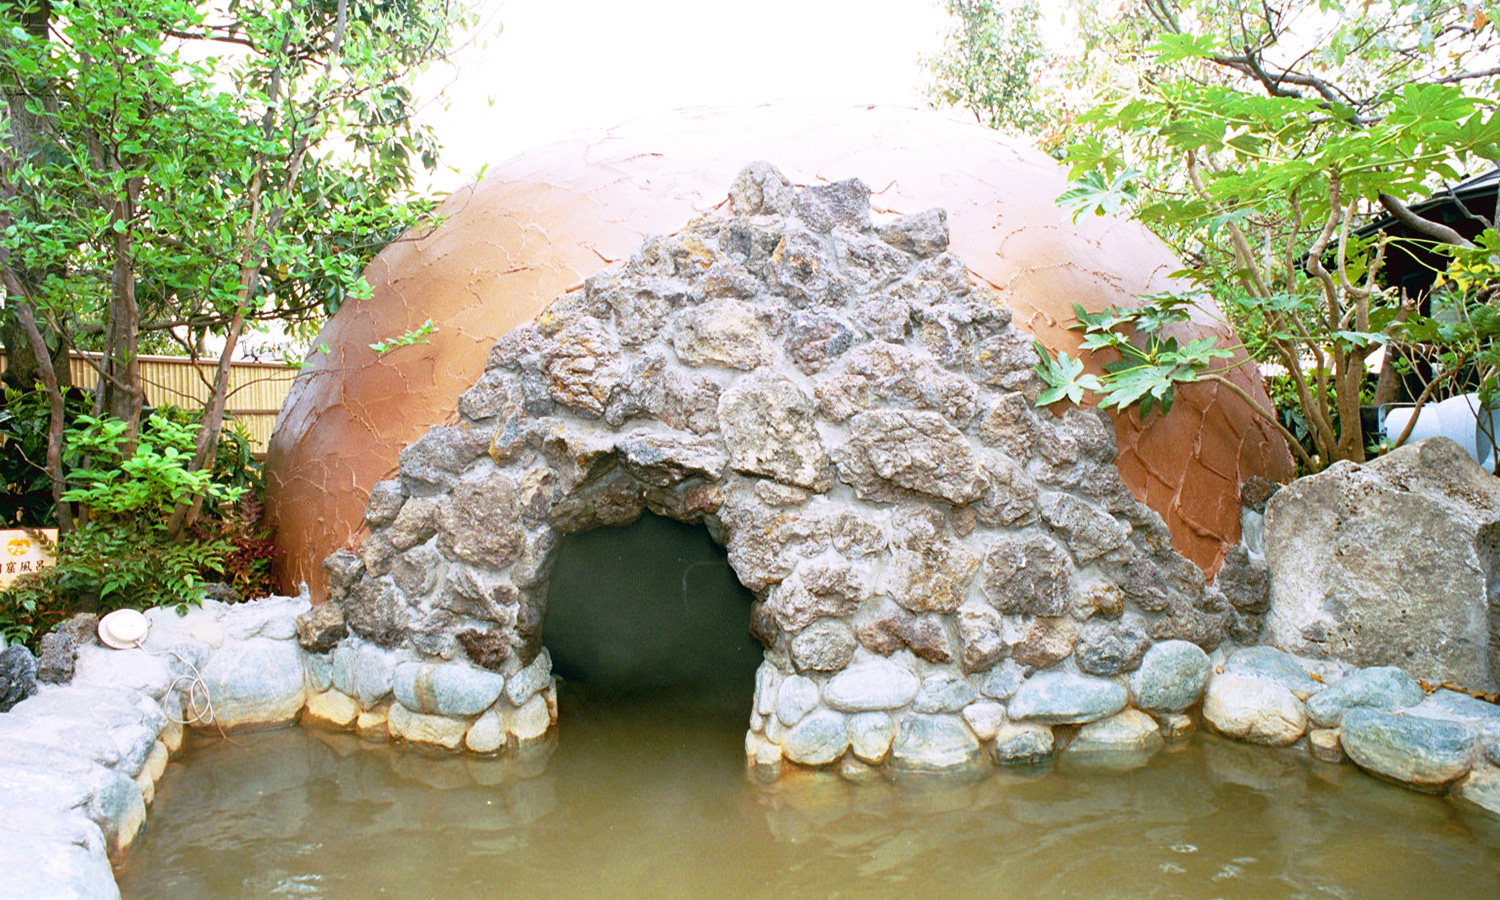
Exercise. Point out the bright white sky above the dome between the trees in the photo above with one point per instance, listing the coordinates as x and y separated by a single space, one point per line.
562 67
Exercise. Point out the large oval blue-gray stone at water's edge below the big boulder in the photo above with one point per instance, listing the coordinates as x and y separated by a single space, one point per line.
1423 754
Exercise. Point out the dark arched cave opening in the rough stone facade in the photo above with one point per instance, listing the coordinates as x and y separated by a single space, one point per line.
650 614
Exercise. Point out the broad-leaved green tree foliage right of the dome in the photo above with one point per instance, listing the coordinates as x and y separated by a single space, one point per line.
1258 163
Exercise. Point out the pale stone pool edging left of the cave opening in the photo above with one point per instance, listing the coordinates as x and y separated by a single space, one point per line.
80 761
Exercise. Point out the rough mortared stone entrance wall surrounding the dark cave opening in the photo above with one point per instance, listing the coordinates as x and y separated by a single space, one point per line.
934 560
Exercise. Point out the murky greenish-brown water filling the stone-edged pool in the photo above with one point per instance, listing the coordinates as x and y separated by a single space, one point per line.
652 802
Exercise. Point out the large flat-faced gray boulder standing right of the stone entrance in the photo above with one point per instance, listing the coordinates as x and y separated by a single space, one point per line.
1390 565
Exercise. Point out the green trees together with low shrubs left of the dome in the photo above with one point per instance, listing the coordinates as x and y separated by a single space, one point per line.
175 172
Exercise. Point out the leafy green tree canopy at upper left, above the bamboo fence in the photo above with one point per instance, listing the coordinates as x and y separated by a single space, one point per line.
202 142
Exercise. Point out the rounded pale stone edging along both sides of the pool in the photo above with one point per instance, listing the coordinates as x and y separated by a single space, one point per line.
79 763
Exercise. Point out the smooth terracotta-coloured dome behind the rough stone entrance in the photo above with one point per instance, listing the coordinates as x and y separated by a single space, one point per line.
541 223
